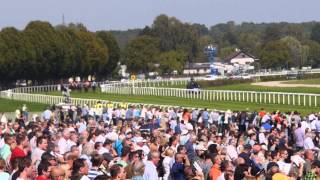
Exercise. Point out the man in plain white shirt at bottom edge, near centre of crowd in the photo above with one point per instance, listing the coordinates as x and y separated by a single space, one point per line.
150 172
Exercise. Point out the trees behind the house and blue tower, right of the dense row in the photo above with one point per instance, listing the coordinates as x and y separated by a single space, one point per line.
170 44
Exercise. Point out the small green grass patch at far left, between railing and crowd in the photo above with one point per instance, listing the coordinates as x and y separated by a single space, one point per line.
7 105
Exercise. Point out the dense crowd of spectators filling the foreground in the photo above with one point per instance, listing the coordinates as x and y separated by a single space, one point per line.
151 143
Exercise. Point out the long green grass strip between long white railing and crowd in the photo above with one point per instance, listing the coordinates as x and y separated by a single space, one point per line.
221 105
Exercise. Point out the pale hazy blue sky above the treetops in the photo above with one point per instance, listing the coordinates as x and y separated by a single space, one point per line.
130 14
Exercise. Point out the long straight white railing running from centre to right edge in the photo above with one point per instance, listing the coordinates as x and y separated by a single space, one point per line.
295 99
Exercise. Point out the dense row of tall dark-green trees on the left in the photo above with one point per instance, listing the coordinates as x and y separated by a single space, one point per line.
42 52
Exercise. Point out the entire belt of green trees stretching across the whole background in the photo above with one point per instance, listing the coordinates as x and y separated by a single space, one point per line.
43 52
